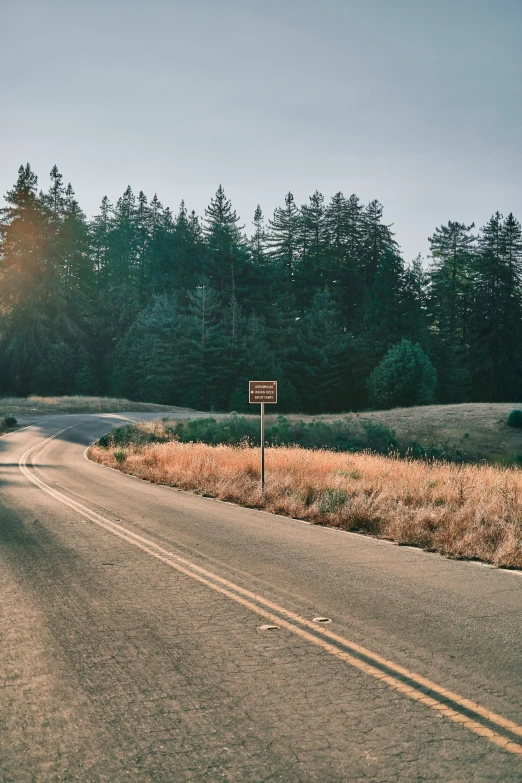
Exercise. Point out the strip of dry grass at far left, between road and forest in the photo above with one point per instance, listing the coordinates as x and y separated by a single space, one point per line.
28 406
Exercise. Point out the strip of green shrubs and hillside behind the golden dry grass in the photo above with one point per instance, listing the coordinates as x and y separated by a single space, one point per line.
466 433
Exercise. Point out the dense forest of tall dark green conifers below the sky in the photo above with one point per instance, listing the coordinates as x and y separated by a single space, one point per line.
178 309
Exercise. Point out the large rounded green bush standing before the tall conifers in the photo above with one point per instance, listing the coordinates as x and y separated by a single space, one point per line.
404 377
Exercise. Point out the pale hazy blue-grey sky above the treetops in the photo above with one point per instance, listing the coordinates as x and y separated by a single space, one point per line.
417 103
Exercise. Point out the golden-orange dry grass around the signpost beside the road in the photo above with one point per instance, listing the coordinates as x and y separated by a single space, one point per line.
472 512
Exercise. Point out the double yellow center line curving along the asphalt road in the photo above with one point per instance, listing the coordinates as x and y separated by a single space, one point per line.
321 637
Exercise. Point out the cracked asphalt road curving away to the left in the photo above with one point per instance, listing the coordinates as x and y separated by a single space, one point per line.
134 647
